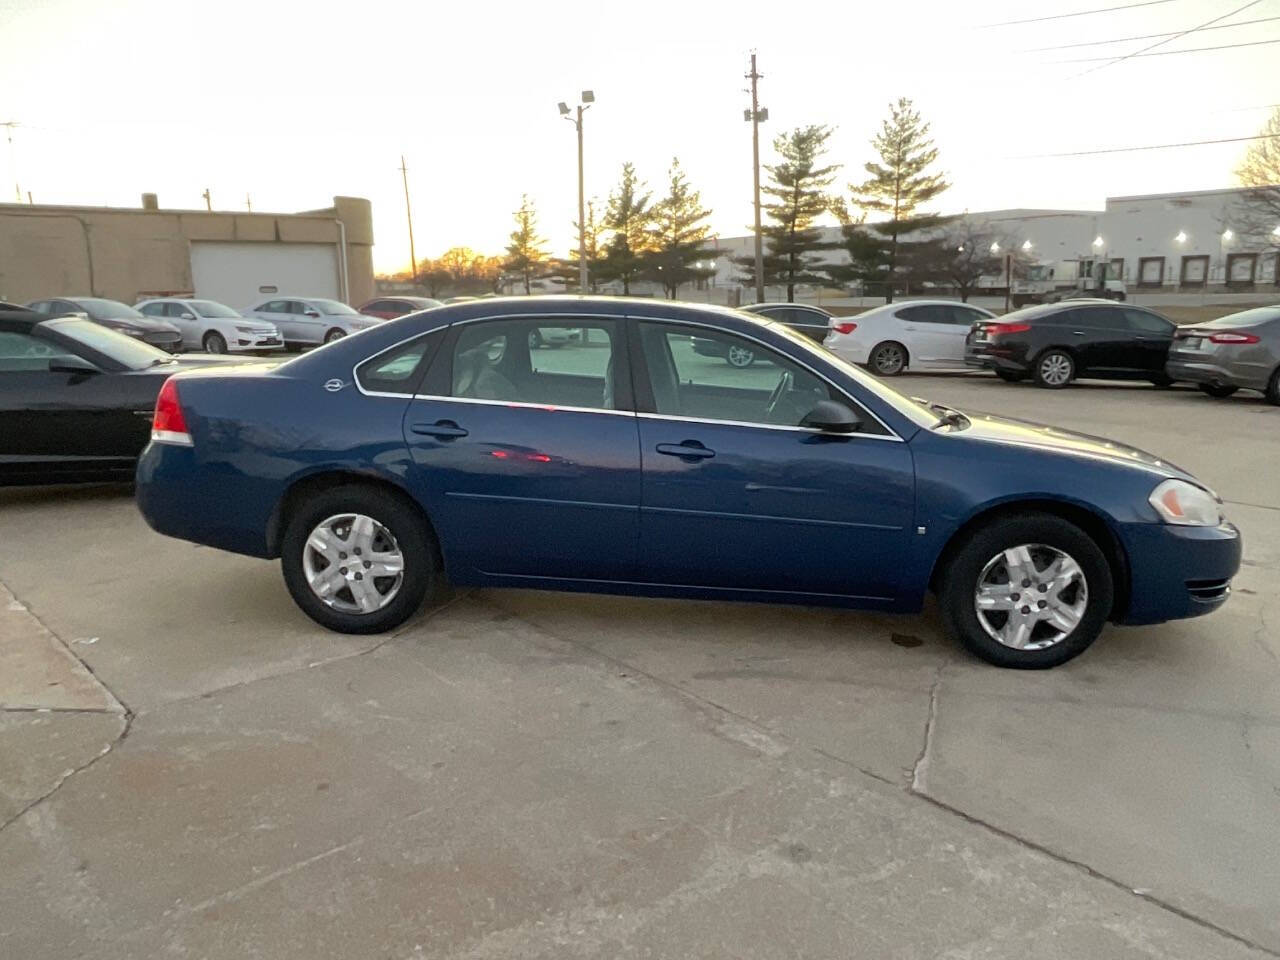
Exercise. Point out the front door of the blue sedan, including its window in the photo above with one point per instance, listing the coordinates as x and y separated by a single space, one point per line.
737 496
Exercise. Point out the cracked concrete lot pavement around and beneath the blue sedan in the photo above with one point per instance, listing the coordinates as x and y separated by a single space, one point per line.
546 775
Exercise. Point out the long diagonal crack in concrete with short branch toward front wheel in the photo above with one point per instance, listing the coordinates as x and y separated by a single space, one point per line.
911 790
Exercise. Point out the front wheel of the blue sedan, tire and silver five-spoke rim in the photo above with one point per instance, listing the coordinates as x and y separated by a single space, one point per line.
1028 592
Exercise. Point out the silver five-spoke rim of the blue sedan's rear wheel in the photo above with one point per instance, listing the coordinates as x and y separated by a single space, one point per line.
353 564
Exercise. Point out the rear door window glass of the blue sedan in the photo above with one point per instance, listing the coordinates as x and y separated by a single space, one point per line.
538 362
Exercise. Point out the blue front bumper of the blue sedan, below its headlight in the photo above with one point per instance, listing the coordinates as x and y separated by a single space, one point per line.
1178 572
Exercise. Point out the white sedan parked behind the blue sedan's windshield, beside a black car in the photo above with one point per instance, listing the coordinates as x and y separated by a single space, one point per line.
921 335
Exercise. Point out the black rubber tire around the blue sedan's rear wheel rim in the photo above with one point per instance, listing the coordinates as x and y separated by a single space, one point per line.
406 525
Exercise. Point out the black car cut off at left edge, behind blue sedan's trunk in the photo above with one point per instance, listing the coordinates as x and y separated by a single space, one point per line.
76 399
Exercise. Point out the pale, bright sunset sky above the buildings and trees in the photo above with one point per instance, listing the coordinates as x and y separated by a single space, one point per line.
295 103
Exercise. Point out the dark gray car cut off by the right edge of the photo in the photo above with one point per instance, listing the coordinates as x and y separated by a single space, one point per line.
1229 354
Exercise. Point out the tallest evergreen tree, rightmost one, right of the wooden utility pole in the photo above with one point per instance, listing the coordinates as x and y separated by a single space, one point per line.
900 185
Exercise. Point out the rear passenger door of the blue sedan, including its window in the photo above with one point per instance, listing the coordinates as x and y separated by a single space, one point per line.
528 459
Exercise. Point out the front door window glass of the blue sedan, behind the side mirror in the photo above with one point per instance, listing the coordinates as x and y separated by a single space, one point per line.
717 376
